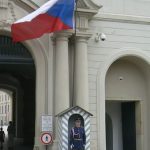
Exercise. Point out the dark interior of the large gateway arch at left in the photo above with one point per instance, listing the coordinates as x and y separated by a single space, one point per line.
17 74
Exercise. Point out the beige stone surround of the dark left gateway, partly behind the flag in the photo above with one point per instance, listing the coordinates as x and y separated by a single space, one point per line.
40 58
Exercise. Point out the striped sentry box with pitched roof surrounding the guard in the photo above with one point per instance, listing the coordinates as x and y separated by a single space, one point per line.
66 122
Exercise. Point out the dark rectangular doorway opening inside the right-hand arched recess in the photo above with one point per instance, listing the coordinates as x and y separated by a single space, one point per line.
120 125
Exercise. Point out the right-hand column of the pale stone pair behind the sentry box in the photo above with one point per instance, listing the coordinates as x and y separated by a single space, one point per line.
81 73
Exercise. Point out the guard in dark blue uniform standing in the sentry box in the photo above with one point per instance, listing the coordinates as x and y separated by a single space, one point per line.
77 136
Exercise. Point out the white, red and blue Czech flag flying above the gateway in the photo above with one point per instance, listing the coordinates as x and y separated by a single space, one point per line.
55 15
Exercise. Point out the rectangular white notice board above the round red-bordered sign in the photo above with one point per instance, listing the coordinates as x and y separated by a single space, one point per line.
47 123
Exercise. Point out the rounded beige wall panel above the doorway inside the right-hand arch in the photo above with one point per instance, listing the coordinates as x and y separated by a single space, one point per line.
131 87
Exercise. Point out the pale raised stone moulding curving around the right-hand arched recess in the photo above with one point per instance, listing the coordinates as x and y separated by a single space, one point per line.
135 52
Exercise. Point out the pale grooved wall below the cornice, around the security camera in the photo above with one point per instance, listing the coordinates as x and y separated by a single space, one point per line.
121 36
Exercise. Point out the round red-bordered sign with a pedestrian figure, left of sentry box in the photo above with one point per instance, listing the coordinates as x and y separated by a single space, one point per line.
46 138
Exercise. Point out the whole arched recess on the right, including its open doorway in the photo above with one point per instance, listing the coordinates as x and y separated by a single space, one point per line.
126 96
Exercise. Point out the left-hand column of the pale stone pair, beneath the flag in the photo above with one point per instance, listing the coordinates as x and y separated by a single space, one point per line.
61 92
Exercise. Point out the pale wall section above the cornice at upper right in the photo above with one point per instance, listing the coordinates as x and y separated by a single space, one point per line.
126 7
